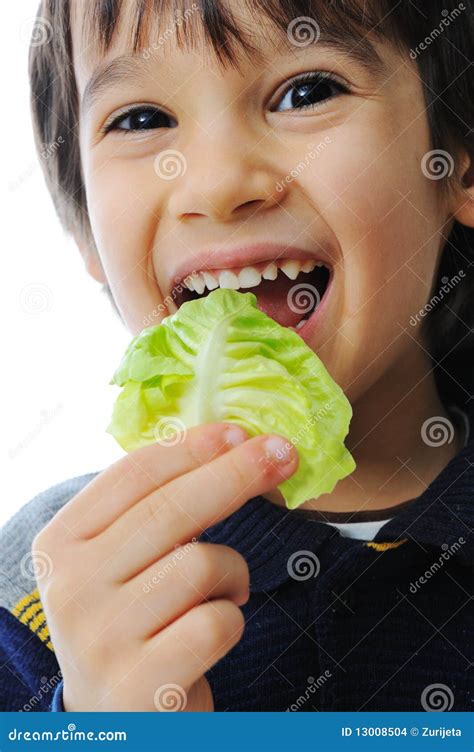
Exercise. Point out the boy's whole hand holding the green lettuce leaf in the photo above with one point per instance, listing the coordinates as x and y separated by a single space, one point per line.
138 610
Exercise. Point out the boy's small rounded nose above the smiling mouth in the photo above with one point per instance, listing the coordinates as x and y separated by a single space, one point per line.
223 182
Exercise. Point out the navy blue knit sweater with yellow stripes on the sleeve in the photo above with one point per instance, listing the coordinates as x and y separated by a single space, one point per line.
332 623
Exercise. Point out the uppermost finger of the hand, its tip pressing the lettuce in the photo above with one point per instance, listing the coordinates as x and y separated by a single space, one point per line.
139 473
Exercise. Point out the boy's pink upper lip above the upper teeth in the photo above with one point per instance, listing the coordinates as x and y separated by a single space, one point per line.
245 256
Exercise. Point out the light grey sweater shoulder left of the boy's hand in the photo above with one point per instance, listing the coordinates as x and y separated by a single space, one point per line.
17 579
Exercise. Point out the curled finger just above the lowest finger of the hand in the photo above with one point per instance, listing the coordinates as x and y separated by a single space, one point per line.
192 574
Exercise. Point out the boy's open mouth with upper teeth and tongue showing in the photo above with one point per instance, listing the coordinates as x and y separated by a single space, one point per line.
287 290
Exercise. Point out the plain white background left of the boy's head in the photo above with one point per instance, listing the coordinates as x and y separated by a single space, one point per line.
60 339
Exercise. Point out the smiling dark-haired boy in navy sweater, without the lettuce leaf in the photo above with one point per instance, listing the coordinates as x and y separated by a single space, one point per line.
239 140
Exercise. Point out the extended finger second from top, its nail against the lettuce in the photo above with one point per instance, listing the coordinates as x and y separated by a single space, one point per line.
188 505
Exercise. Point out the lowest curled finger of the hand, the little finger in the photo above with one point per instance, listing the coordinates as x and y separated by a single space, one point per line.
189 647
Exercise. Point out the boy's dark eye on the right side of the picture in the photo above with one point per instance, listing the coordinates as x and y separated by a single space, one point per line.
309 91
